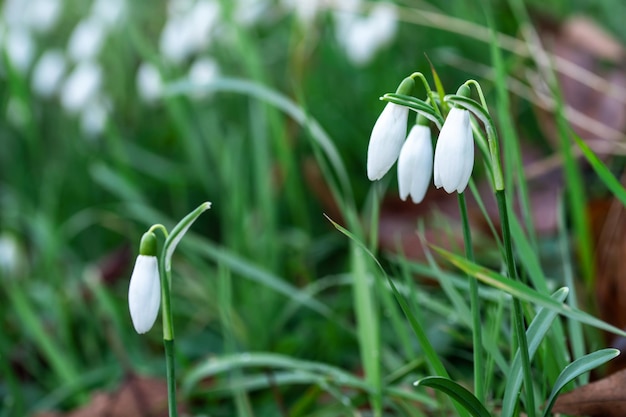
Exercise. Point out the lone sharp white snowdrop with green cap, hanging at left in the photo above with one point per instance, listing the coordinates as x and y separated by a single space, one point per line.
144 291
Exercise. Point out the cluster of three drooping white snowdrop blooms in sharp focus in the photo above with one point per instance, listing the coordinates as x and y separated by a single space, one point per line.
453 156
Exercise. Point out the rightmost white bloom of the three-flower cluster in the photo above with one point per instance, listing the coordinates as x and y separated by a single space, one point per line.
454 153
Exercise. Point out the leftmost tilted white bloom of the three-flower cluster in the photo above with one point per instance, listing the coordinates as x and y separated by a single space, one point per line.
386 140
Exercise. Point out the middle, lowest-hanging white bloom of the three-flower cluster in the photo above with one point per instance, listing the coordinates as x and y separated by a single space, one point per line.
415 164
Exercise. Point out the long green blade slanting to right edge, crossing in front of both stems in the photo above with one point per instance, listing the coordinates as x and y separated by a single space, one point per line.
524 292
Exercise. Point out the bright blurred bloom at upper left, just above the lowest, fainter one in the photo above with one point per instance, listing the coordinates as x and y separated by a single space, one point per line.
81 86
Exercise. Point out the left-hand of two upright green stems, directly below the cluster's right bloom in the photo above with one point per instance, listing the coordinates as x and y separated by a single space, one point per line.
479 368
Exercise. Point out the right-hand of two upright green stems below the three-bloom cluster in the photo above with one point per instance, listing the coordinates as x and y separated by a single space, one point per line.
518 313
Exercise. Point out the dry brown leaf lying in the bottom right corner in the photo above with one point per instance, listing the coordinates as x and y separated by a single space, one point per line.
603 398
